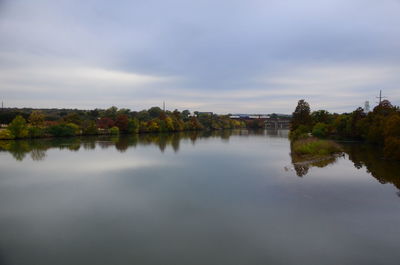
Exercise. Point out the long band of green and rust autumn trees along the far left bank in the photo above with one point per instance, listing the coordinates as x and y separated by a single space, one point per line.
111 121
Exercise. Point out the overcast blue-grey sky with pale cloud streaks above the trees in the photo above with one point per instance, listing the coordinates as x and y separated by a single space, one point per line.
226 56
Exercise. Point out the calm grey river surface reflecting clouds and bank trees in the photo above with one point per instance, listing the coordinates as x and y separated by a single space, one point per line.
223 198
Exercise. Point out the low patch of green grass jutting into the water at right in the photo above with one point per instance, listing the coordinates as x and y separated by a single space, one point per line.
313 147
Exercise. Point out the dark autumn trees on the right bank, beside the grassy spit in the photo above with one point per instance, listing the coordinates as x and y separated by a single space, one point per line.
380 126
